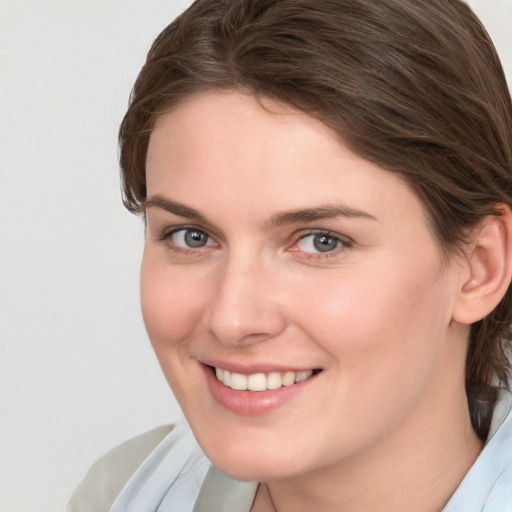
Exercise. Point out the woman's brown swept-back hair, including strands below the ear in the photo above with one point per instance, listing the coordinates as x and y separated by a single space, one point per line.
414 86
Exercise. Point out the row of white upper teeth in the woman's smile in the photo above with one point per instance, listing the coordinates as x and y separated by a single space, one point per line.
260 381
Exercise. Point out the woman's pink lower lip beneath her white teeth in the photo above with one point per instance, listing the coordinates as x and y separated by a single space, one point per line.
253 403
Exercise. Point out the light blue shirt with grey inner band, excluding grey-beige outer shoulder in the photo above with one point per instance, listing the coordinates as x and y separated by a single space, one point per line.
177 477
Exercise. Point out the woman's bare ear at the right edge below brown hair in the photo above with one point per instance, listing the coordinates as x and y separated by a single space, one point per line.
489 268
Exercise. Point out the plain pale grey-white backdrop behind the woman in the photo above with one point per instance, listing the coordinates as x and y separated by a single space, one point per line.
77 374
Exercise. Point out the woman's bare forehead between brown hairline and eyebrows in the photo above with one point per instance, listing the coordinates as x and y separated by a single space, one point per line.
227 152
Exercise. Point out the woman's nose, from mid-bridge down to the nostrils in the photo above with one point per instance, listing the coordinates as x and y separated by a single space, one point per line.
245 308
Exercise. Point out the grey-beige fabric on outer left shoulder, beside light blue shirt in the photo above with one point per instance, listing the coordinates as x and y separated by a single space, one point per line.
108 475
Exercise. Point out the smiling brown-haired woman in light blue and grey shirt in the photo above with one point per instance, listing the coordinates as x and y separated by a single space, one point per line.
326 187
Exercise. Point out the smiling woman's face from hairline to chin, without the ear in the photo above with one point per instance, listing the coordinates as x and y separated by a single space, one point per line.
274 254
